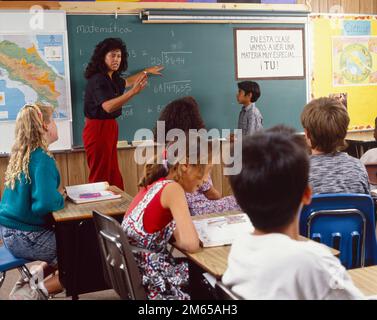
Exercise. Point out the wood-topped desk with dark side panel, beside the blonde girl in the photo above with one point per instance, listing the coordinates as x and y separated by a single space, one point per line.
79 260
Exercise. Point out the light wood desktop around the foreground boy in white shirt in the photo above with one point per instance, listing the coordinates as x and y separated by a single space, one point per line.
215 259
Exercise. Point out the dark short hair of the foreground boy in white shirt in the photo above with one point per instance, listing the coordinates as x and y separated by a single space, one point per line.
274 175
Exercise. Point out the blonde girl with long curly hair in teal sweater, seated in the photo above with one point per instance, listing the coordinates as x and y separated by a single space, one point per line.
30 195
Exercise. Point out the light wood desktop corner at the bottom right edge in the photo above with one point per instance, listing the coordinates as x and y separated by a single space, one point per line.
365 279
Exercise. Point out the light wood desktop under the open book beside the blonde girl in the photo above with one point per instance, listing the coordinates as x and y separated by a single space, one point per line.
74 211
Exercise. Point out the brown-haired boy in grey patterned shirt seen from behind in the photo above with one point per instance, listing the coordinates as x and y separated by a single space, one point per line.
325 121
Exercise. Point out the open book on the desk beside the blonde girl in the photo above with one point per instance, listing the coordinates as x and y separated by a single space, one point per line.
91 192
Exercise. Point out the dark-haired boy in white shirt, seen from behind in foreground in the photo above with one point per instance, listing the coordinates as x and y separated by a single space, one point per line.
271 262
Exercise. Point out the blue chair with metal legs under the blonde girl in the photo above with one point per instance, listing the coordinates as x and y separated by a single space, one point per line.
9 262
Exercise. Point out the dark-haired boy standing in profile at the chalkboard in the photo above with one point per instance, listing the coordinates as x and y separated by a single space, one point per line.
250 119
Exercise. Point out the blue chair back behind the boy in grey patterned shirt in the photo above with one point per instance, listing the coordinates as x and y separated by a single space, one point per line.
345 222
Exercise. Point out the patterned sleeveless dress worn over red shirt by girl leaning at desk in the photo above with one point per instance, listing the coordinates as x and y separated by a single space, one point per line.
162 276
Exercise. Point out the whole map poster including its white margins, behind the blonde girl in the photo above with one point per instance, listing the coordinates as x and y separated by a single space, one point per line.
34 67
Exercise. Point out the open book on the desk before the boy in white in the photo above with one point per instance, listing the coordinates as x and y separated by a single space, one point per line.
219 231
